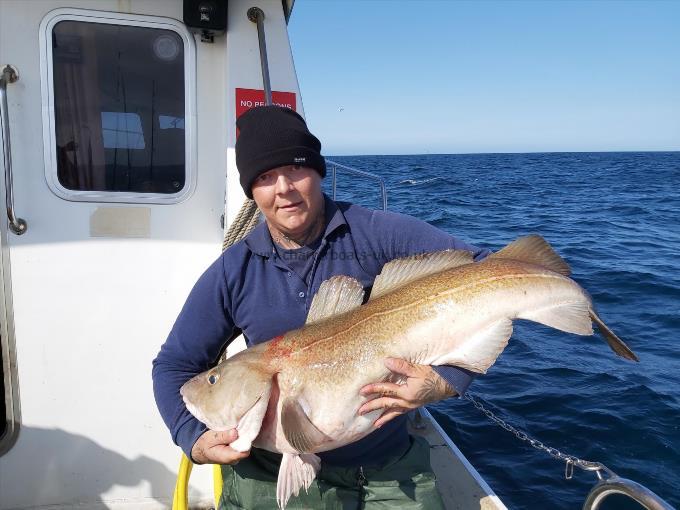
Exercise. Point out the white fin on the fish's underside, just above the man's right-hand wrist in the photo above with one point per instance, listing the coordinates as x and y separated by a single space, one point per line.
480 350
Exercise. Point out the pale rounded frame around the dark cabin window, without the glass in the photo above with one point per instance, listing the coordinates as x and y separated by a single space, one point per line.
47 89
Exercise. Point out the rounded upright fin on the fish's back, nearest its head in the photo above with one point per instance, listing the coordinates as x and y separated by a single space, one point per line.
336 295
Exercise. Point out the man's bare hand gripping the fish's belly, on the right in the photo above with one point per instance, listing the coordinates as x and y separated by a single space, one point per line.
423 385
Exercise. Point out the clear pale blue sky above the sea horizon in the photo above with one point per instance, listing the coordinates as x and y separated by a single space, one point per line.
414 77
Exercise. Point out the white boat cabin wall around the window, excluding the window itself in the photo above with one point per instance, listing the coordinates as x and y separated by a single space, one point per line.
91 313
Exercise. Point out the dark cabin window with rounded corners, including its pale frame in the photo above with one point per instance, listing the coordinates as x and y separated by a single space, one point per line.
119 93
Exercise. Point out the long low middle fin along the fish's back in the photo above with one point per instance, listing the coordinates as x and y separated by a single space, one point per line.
399 272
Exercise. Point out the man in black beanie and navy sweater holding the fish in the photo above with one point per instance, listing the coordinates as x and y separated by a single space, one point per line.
264 285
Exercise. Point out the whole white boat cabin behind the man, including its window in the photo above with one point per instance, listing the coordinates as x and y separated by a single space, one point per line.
119 182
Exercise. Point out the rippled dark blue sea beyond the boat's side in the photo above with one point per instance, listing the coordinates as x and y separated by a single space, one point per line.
615 218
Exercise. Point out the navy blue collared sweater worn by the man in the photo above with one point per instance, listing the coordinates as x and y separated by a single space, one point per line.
250 287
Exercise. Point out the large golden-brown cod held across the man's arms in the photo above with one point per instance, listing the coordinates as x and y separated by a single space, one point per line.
298 394
